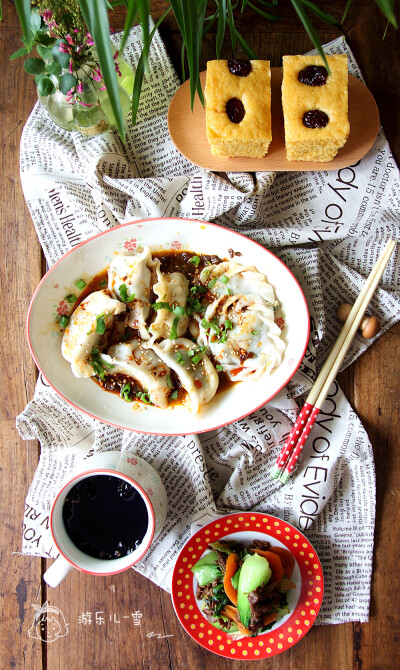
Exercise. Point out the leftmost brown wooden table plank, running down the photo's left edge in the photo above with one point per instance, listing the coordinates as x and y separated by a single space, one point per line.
20 271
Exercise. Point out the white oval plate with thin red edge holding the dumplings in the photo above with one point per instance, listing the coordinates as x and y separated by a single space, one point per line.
94 255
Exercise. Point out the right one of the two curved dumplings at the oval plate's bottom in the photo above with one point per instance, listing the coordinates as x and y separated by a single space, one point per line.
193 368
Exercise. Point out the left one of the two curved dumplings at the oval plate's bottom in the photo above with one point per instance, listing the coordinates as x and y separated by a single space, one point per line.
132 359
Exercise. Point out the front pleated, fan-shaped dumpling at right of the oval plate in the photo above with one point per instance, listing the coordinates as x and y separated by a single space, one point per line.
242 336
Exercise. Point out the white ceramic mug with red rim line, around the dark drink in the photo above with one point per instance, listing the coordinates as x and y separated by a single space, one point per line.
72 557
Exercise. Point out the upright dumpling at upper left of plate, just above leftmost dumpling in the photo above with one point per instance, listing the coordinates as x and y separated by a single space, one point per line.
130 274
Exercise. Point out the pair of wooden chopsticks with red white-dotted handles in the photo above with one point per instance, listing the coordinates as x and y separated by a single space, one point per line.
293 446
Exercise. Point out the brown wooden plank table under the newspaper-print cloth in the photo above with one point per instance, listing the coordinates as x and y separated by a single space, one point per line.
372 385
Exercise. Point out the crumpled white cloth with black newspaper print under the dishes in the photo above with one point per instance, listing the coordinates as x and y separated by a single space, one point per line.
328 227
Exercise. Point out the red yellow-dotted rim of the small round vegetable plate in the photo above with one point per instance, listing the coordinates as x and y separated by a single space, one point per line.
280 637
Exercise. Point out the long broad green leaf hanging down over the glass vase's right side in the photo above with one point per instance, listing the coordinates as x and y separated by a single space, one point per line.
96 17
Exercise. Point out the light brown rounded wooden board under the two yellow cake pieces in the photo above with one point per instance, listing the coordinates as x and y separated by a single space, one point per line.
188 132
